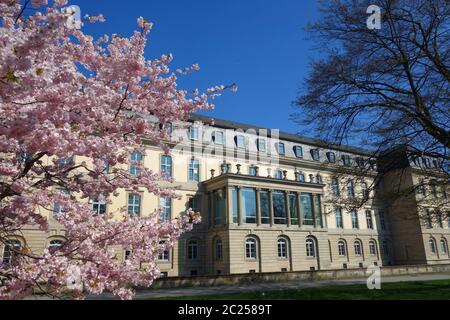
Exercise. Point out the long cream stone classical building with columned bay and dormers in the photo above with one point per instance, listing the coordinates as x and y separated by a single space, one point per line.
276 202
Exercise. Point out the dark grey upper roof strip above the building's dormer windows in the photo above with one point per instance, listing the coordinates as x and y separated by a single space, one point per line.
227 124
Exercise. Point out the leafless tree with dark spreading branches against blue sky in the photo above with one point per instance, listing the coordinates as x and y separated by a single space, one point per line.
385 89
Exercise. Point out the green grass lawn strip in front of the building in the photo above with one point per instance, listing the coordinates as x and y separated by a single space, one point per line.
432 290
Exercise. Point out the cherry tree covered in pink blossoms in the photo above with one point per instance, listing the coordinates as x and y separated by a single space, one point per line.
63 97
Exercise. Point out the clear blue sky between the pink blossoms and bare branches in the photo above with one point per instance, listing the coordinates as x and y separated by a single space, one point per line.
258 44
